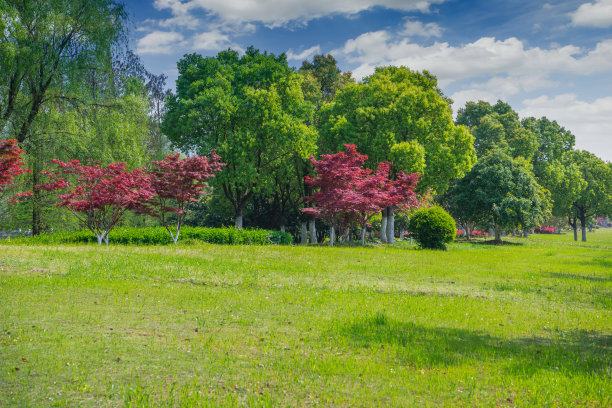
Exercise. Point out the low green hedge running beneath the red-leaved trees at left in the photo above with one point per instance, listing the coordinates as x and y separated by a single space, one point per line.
159 236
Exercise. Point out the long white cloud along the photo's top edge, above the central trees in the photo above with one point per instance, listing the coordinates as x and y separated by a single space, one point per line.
277 13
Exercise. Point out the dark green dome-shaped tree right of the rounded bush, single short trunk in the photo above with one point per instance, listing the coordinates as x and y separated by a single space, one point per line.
501 192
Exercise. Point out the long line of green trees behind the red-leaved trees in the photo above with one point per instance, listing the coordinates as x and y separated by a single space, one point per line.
70 88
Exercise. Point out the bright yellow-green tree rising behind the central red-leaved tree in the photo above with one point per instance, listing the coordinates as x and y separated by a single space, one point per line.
401 116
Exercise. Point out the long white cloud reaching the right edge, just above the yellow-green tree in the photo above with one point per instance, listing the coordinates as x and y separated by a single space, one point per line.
486 56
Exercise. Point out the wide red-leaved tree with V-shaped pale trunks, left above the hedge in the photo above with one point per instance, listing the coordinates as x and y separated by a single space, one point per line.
99 196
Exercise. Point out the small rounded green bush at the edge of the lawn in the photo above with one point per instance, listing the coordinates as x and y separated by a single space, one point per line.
432 227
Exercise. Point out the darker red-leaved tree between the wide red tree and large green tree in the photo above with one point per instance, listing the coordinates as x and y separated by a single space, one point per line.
177 182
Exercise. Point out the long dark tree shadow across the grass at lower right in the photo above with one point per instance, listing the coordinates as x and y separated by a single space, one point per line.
578 353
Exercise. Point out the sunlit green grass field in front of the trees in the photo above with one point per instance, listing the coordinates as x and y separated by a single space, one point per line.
204 325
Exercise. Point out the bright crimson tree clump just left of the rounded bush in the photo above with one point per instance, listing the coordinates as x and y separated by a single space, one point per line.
347 192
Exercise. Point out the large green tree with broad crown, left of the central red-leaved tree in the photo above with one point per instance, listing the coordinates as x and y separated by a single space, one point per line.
251 109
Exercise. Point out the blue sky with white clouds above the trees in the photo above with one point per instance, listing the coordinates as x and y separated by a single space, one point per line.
550 59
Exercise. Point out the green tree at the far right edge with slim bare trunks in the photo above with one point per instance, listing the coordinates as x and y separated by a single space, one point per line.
595 198
